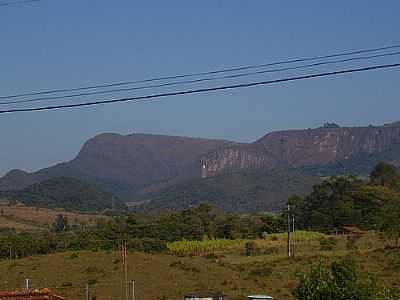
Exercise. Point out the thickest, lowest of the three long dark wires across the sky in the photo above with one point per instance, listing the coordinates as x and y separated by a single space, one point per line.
197 91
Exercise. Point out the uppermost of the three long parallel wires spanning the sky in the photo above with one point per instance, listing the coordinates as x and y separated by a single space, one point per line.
200 73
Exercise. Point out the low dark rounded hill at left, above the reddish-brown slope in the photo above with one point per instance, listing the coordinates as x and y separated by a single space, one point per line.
68 193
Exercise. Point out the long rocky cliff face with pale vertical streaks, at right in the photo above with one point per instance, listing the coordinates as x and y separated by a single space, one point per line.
298 148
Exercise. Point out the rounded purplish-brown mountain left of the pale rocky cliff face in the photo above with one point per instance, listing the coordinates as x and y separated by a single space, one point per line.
124 164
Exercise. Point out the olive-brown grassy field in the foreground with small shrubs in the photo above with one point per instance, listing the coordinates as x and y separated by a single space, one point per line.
168 276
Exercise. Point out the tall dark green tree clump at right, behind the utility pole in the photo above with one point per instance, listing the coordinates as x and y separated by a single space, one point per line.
371 204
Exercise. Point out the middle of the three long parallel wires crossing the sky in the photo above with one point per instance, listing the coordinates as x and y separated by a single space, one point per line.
200 80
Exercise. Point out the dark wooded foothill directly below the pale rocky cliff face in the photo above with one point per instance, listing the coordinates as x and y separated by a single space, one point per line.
244 191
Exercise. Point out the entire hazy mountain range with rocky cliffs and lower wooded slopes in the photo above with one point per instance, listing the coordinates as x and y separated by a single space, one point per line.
176 172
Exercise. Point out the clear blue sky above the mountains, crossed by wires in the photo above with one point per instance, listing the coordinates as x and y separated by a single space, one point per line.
54 44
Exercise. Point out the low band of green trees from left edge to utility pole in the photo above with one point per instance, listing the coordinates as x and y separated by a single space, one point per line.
139 232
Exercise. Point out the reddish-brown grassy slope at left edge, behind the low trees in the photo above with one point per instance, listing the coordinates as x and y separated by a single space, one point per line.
32 218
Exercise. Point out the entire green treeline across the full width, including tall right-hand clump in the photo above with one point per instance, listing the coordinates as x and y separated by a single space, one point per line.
337 201
